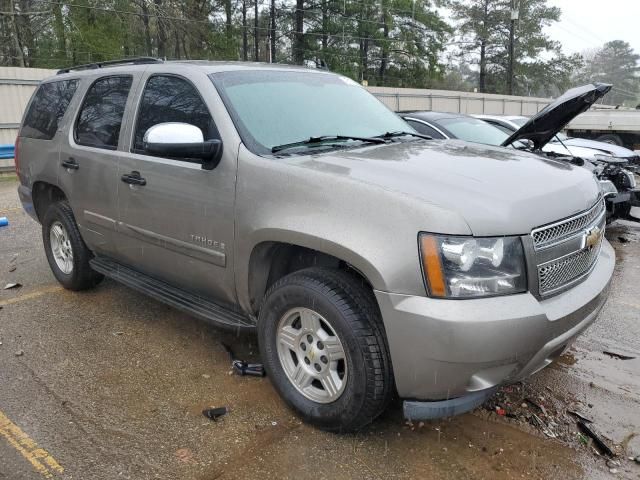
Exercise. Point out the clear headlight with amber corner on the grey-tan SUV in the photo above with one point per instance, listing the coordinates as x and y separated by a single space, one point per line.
463 267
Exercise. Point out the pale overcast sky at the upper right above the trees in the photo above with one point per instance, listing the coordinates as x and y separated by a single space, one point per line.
588 24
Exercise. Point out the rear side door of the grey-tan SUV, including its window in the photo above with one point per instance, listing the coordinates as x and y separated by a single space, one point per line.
88 166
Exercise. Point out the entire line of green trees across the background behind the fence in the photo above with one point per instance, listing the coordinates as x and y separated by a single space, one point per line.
400 43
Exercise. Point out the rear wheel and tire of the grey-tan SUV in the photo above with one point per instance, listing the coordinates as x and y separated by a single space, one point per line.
75 273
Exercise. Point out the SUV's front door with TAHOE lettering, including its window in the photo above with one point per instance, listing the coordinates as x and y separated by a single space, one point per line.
178 227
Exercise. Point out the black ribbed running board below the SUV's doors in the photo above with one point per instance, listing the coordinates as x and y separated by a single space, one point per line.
192 304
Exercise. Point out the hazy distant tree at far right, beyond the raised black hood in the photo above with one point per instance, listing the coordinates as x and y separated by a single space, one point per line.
618 64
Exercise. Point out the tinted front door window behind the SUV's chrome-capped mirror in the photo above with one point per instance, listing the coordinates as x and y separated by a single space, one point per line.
168 98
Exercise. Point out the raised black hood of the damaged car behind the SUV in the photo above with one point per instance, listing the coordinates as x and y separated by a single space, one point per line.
543 126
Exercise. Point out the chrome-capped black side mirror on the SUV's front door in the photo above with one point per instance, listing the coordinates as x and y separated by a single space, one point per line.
184 141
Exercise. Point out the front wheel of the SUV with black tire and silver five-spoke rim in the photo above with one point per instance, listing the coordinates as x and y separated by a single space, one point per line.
347 309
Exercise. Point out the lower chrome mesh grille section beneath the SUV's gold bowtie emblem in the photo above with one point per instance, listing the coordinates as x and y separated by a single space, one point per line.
565 271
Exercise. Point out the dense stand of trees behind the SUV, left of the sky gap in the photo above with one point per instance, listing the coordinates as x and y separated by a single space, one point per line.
390 42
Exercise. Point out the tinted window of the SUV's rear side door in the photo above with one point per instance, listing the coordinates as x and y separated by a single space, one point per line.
100 117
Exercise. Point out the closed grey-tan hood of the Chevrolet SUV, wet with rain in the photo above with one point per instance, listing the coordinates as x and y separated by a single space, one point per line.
497 191
